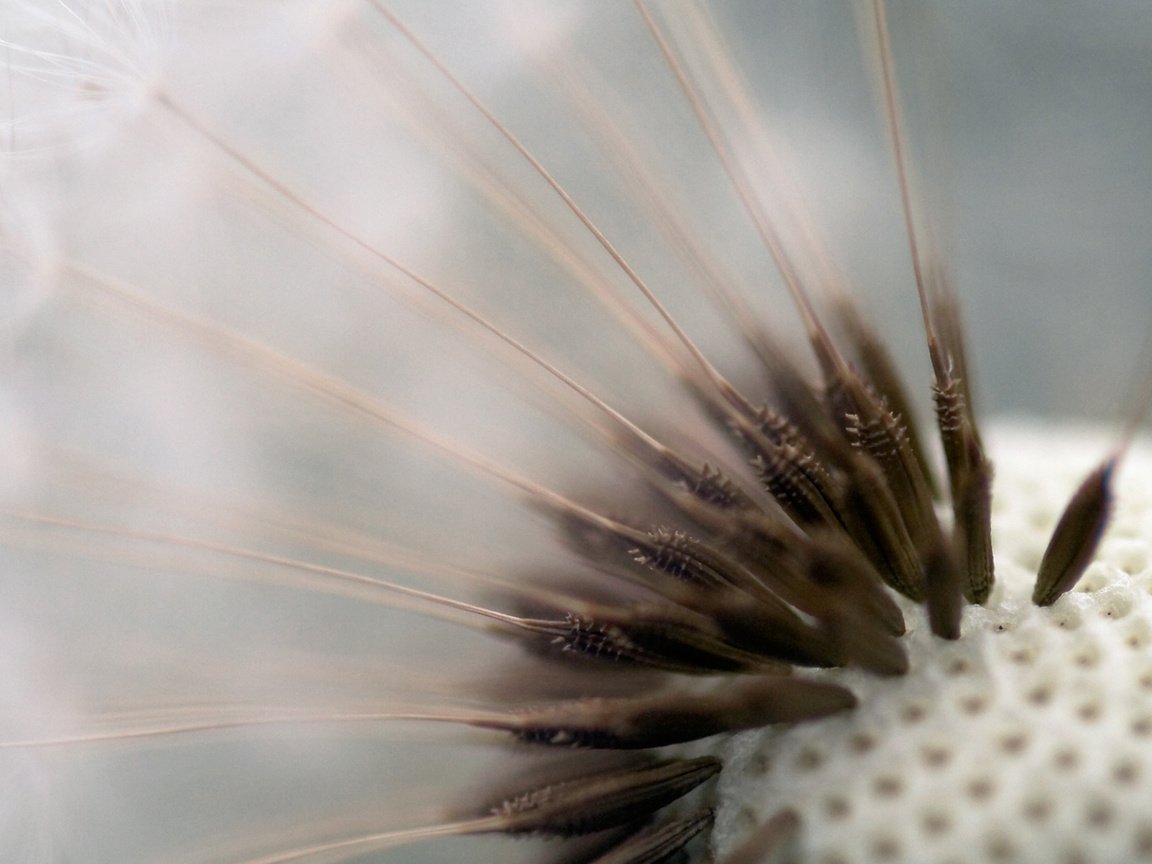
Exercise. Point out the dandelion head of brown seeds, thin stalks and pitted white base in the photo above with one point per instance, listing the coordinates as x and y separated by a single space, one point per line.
820 573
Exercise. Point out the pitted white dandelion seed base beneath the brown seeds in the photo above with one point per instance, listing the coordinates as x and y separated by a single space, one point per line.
1029 740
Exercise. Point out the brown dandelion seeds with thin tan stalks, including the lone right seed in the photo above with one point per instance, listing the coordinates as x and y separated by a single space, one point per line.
716 569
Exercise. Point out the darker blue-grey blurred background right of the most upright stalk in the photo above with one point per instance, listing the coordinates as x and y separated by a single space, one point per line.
1033 123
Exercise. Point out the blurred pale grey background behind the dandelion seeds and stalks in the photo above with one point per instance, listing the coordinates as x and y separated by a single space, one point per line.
1033 127
